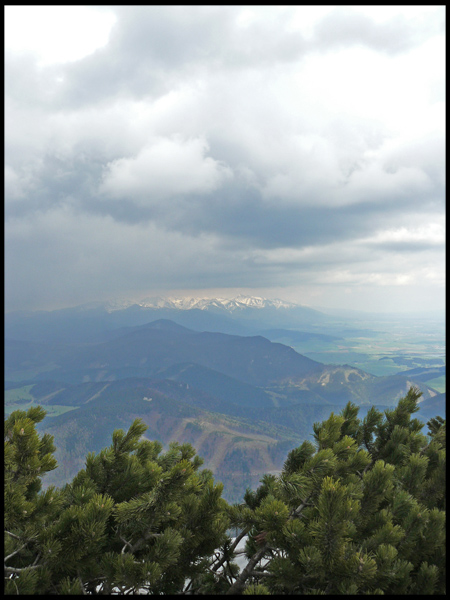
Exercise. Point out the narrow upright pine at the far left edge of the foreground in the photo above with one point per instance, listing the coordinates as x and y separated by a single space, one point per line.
28 512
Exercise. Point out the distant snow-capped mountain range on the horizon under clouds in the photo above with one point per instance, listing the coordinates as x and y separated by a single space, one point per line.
230 305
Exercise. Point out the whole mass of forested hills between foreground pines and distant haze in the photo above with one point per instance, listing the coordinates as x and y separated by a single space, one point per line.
243 401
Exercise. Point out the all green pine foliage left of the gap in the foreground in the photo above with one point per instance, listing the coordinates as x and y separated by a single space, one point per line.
133 520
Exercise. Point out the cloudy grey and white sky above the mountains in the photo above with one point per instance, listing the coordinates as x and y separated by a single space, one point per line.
285 152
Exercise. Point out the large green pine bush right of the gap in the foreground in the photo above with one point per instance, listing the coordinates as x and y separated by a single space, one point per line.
361 511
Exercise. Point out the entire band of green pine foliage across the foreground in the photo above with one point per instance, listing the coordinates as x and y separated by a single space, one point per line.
359 511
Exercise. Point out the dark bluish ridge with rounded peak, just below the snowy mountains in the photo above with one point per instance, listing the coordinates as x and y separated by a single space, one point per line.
147 351
